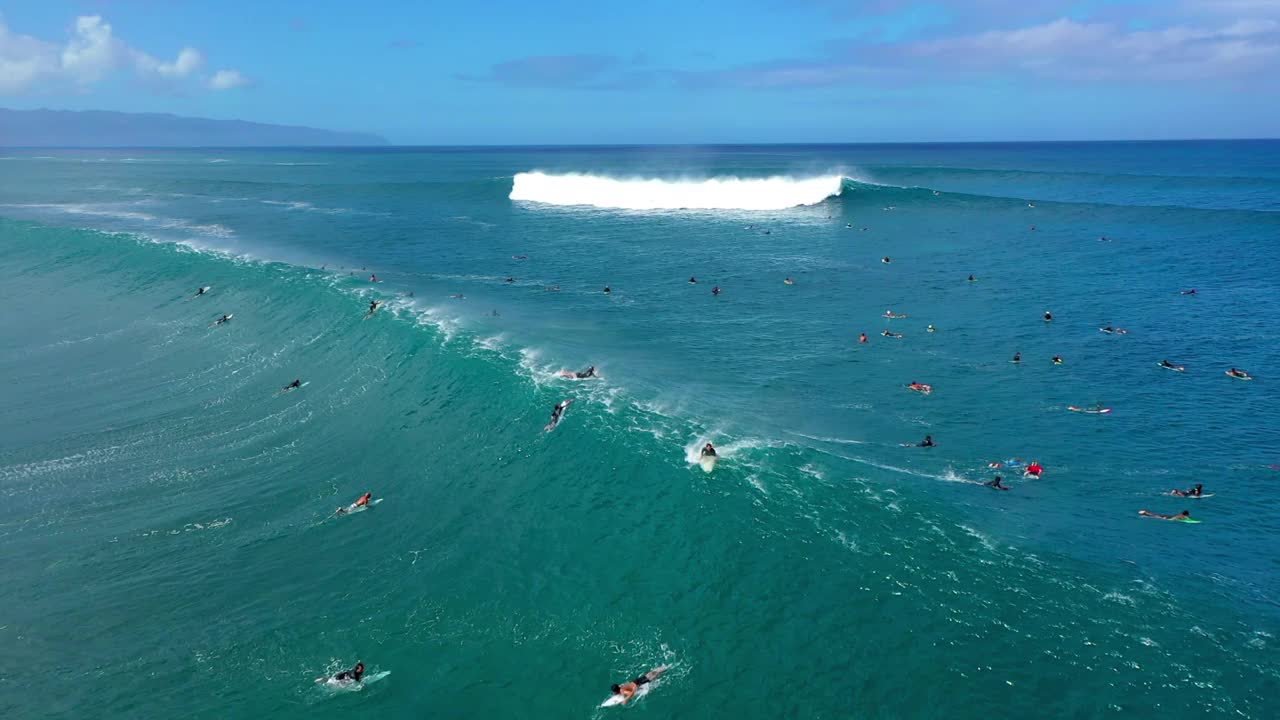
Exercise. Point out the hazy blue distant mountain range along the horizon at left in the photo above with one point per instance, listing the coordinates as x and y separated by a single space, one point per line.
99 129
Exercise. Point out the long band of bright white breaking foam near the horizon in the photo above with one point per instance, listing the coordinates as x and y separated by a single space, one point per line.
778 193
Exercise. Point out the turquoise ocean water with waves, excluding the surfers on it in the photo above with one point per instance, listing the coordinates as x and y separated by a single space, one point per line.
168 534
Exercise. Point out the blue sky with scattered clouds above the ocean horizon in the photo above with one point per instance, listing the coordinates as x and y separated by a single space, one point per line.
659 71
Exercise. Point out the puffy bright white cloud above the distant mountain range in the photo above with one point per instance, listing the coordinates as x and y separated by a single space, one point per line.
90 56
